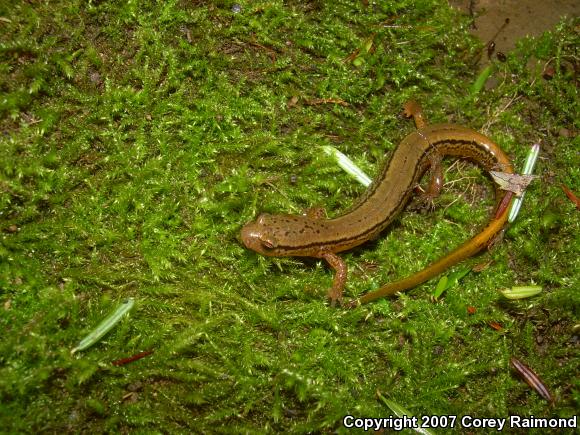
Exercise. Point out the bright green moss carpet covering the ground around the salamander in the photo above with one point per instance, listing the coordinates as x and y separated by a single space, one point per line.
137 138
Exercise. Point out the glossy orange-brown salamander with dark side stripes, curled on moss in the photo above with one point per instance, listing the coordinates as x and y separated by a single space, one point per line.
313 235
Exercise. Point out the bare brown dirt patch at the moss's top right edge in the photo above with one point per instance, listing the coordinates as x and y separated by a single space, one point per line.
526 18
